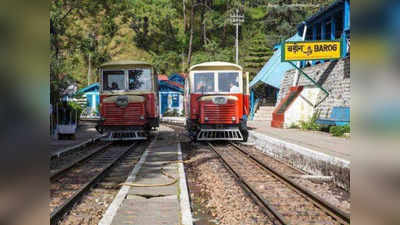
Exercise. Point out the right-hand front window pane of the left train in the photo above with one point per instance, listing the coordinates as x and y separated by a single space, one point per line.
140 79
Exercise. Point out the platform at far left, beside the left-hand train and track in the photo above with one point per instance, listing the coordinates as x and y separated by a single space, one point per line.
86 132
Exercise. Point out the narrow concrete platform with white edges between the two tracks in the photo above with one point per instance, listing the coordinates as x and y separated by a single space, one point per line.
155 192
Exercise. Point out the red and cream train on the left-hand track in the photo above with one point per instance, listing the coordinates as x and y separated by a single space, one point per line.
128 100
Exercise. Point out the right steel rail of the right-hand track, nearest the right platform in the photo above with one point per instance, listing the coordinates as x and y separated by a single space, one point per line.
331 210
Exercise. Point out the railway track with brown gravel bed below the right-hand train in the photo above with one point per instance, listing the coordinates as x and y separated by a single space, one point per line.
288 202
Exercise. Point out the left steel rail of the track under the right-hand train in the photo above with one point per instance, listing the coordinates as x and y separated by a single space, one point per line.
253 193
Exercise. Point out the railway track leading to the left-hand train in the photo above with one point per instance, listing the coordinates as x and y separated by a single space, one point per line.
71 182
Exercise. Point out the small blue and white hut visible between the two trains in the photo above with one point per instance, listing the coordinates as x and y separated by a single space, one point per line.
171 94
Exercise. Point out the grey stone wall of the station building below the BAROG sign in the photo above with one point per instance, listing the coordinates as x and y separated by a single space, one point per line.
334 76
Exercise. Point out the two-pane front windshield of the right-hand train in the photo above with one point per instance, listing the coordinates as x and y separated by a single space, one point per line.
219 82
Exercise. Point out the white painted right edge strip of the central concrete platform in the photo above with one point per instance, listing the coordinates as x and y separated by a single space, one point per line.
184 196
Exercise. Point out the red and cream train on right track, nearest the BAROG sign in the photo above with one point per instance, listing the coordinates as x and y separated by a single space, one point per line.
217 102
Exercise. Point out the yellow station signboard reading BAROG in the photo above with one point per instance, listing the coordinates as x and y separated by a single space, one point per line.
311 50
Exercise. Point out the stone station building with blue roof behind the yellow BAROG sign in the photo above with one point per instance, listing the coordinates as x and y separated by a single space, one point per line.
294 98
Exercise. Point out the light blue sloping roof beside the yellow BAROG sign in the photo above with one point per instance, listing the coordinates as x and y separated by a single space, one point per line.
273 71
